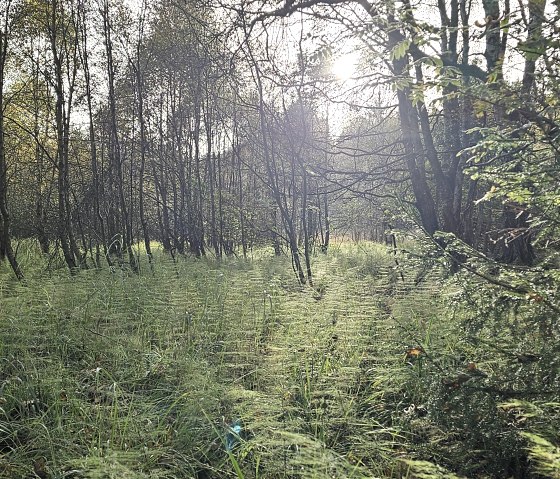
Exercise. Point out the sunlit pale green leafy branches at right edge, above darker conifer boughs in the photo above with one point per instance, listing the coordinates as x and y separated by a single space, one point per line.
526 183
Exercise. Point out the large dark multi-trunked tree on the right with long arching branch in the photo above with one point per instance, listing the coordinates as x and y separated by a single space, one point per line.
435 138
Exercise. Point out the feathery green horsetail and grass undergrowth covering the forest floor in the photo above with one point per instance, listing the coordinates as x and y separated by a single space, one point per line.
378 370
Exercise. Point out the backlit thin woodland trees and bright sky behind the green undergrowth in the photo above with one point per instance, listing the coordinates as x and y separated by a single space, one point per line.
215 129
